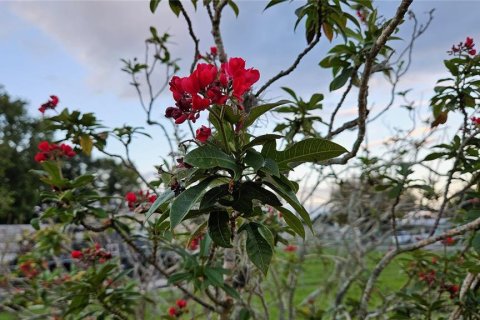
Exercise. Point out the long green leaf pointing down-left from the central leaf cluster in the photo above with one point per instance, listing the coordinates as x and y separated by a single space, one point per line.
186 200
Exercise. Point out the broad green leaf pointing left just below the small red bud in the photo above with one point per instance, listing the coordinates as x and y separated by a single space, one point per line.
207 157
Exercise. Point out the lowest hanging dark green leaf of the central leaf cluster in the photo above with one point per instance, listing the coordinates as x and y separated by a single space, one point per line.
258 248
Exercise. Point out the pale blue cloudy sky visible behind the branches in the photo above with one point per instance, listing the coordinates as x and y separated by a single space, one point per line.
73 49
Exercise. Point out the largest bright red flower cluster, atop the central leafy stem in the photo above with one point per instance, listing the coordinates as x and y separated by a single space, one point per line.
207 86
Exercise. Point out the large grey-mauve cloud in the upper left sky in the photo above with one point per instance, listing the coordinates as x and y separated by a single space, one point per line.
98 33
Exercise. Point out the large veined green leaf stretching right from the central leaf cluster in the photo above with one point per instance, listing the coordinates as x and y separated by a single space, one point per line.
308 150
